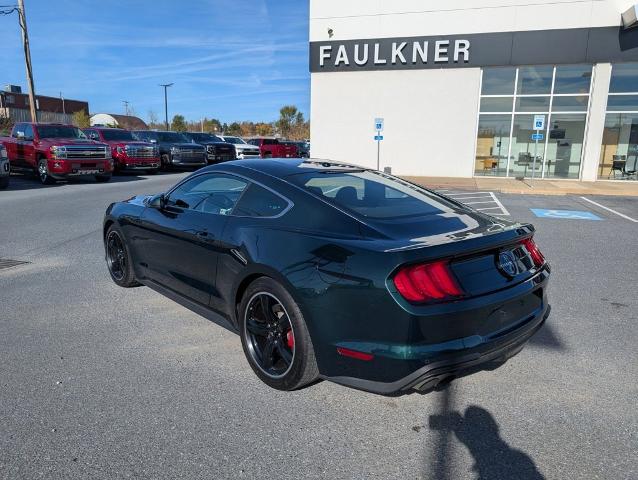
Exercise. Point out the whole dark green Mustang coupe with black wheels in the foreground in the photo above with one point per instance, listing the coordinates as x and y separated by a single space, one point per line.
334 271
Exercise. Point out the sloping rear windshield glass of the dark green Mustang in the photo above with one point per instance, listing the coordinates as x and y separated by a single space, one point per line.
372 194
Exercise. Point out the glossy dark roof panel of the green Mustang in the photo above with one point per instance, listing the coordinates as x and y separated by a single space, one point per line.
283 167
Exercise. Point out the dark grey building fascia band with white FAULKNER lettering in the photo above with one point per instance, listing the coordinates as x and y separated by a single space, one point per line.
577 45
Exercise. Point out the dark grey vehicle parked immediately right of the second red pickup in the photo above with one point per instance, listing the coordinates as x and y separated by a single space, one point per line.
175 149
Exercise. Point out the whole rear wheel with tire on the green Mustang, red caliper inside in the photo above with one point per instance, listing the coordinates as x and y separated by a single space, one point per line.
301 368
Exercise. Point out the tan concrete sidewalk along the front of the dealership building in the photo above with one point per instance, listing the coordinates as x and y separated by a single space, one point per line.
541 187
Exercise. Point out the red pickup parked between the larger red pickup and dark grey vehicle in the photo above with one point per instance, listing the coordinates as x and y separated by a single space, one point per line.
127 152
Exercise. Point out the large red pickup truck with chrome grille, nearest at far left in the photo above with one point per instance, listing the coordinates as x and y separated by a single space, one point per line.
56 152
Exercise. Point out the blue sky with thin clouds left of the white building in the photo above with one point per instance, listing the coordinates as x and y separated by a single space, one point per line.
229 59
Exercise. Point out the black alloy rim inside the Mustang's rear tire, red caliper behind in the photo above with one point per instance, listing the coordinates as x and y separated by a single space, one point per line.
269 335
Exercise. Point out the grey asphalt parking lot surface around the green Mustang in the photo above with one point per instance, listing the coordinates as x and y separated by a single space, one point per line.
102 382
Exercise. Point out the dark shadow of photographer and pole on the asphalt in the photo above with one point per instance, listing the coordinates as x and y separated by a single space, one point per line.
477 429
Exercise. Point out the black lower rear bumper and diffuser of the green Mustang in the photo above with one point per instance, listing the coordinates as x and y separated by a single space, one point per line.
479 354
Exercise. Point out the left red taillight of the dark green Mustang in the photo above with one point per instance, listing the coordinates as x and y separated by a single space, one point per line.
427 282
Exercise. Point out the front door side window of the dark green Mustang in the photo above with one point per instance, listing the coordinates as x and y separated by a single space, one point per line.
209 193
